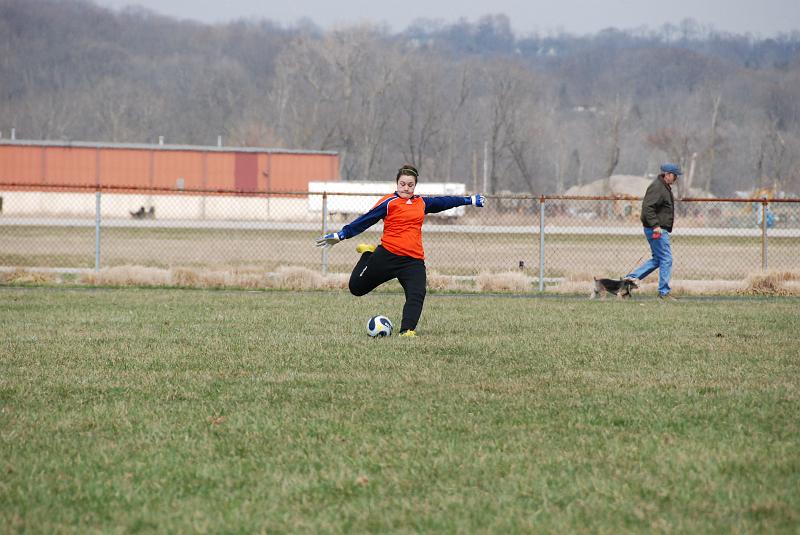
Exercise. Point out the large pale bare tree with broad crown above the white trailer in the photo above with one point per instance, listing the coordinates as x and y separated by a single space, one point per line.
339 87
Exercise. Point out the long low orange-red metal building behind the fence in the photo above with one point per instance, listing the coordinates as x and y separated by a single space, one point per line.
82 164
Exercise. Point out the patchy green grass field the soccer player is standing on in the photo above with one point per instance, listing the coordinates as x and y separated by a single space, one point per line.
130 410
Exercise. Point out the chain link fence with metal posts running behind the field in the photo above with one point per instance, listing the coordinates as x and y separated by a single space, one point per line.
549 238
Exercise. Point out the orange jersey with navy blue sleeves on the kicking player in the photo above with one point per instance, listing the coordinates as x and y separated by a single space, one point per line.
402 221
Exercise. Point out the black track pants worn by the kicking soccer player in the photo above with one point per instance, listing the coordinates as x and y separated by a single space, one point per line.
373 269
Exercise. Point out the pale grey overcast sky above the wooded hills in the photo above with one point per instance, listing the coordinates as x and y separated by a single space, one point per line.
762 18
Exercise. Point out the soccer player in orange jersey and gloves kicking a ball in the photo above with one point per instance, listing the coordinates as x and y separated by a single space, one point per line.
400 254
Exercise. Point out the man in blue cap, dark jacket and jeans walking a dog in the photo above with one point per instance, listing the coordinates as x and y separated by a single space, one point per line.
658 214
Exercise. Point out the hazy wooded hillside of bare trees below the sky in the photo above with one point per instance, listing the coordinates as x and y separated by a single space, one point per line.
468 101
